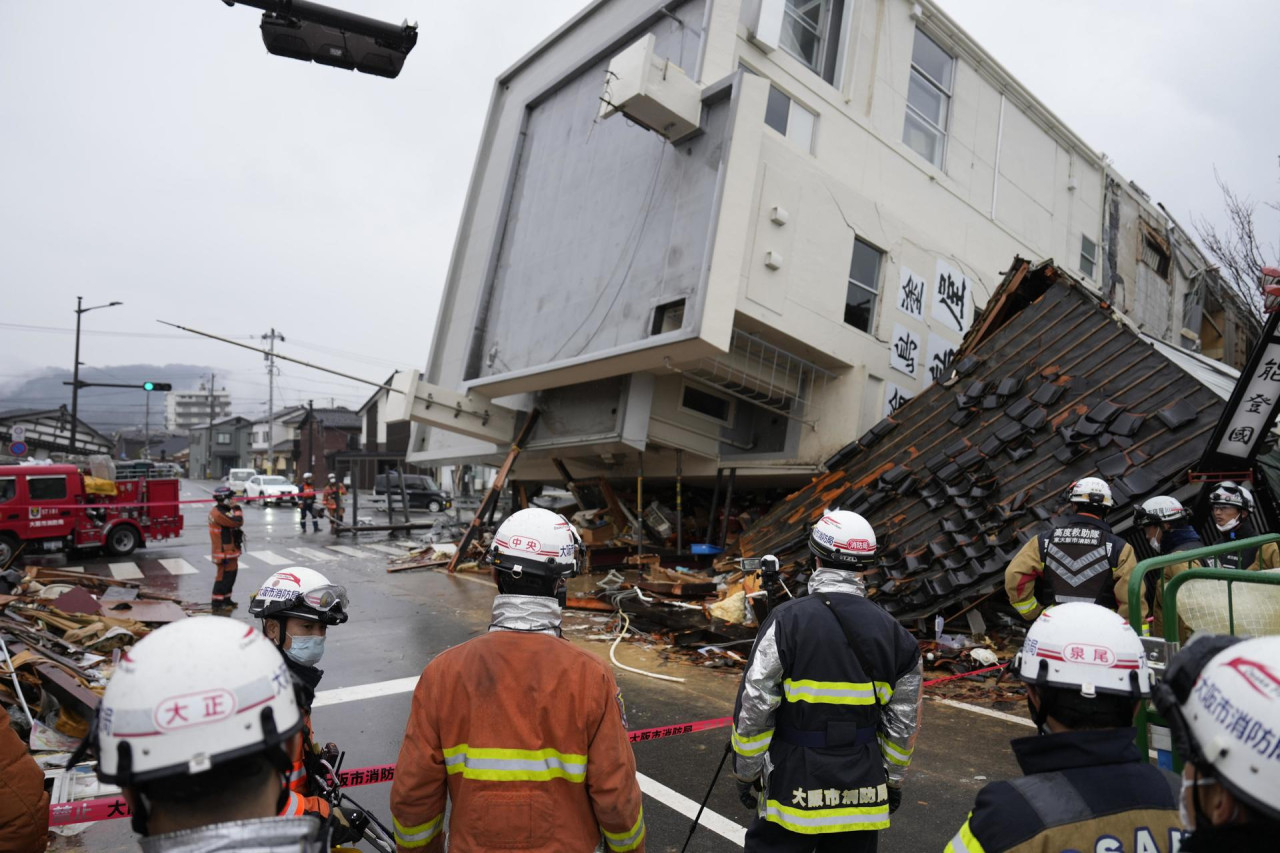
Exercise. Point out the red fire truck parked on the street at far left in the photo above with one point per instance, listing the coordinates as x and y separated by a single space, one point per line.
52 509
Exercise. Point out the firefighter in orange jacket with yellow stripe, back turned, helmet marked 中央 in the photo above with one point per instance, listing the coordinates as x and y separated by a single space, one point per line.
519 731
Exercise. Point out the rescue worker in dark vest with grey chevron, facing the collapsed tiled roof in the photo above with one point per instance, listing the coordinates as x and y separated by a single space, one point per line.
1078 560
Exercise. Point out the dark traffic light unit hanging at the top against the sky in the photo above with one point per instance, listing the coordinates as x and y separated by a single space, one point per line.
312 33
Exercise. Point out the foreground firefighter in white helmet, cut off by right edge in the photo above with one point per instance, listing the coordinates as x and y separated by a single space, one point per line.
1222 699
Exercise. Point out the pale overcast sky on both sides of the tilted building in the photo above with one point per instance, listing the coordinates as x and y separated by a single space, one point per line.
153 153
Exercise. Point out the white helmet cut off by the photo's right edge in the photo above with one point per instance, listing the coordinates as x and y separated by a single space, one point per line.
1222 697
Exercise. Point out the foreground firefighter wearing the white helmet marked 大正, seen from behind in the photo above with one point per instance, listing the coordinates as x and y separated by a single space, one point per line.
196 727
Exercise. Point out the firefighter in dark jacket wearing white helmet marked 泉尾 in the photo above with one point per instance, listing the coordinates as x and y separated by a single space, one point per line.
1086 784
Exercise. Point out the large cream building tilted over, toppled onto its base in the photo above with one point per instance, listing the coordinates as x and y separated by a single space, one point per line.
751 230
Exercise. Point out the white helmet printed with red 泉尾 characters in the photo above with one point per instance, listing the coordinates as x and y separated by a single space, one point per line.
1085 647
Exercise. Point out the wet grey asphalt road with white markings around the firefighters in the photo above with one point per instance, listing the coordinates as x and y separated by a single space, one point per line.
400 622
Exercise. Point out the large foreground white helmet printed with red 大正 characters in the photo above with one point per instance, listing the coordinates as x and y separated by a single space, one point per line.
191 696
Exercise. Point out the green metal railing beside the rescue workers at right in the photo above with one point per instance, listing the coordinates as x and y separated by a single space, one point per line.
1160 650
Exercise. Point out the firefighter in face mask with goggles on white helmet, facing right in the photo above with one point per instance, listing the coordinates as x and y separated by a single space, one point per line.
298 608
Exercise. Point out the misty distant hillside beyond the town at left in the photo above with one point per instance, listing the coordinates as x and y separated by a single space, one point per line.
106 409
